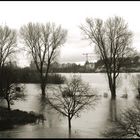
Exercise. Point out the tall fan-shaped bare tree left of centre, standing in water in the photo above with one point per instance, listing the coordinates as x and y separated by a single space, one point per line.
43 42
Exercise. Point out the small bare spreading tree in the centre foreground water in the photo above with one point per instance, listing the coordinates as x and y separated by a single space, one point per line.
72 98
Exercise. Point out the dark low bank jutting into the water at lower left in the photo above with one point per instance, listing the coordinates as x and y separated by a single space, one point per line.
17 117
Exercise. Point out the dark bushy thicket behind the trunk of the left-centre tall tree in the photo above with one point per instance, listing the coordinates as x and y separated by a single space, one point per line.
26 75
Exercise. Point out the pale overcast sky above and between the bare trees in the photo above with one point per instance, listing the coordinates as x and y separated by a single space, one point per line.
70 14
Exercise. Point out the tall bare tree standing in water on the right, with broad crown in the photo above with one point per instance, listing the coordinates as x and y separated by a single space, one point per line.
112 42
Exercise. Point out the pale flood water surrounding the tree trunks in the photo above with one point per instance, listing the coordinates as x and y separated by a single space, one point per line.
90 124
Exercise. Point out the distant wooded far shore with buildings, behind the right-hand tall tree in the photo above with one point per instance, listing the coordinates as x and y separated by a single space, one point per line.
129 64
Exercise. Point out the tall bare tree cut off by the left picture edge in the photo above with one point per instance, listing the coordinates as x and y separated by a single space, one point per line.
7 48
